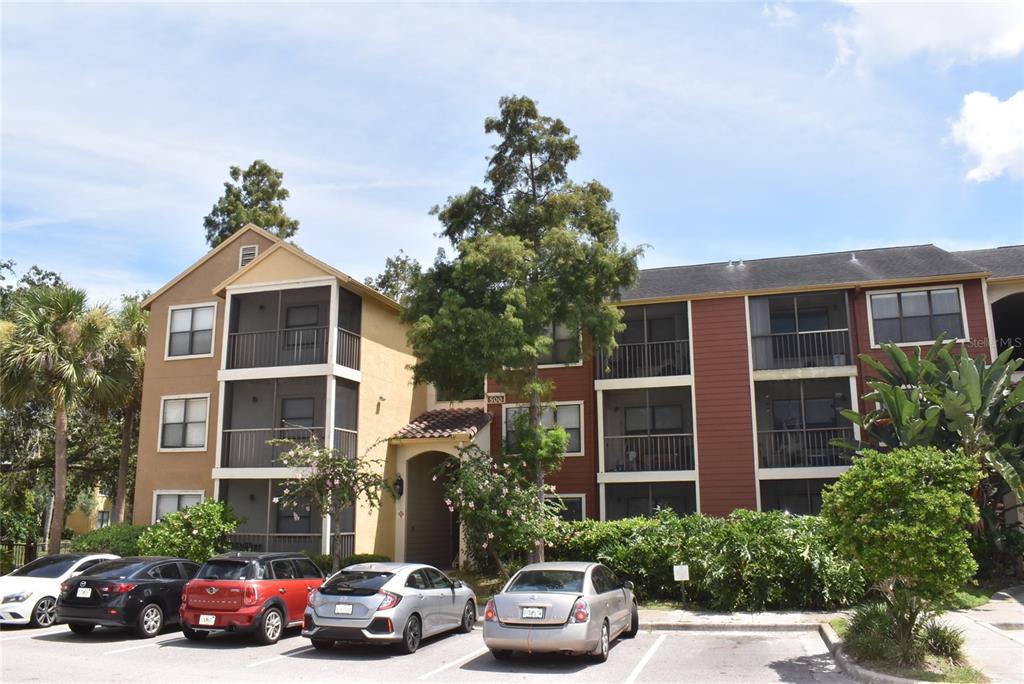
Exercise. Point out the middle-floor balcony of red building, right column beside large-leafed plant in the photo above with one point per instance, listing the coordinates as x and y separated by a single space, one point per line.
799 419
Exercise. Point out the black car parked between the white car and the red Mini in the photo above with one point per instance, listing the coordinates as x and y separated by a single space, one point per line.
140 592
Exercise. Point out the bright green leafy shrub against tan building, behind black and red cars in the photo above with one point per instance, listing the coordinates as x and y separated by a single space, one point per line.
196 533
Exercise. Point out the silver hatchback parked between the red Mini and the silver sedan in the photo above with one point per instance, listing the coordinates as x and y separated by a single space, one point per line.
388 604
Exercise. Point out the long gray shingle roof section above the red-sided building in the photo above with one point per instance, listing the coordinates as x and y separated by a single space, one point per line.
888 264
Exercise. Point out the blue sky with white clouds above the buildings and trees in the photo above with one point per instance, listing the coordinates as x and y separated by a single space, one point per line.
726 132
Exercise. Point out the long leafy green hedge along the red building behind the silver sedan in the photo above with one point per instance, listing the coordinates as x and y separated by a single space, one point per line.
747 562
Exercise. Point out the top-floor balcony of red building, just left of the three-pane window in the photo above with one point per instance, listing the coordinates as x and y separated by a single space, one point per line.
800 331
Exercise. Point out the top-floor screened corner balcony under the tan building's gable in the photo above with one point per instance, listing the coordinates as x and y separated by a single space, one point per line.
291 328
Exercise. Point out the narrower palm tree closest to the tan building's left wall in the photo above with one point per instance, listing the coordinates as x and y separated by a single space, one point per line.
132 327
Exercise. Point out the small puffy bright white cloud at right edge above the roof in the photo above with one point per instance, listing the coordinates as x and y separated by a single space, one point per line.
993 134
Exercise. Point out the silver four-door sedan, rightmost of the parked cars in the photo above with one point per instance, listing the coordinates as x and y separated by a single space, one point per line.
574 608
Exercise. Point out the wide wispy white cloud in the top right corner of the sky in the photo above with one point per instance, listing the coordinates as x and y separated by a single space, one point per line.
949 33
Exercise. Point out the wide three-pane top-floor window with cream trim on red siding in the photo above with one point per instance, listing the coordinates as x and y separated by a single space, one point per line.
919 316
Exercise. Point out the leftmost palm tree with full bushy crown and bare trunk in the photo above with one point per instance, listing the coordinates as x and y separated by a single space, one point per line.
55 351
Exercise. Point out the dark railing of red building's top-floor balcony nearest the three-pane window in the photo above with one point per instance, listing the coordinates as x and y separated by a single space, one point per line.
797 351
